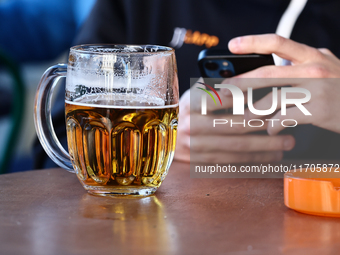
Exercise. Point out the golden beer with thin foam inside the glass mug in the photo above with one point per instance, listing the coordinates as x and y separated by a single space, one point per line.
115 145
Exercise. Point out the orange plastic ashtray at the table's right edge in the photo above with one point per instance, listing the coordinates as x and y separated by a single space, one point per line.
316 193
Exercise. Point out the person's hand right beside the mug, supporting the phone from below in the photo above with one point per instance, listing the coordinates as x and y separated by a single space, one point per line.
223 144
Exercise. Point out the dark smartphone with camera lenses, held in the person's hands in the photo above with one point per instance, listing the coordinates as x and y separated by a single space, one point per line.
218 64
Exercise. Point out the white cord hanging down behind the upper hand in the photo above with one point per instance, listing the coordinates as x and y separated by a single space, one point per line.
287 22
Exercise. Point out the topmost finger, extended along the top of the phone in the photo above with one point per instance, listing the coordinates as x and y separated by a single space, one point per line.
272 43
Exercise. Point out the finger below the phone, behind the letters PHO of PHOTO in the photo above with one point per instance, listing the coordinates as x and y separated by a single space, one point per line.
222 125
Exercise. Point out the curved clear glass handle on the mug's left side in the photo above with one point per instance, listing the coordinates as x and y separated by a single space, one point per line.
43 120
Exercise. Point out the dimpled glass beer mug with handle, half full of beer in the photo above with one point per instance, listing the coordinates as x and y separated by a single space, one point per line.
121 110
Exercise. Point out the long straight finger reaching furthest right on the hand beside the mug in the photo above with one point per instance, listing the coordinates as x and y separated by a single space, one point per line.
241 143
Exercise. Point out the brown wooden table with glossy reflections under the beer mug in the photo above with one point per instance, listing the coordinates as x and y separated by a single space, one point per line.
48 212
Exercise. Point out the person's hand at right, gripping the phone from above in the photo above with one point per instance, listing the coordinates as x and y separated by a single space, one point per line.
307 62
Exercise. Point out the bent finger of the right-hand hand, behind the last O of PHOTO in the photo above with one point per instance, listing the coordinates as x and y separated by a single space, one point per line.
293 117
